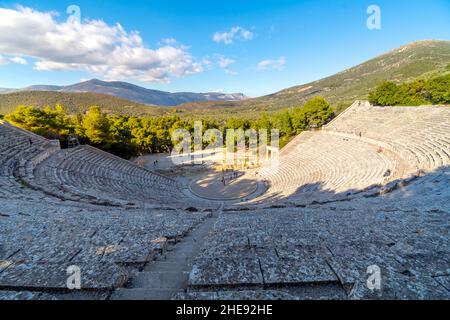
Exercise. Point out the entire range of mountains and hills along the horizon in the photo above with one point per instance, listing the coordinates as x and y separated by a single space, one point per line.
421 59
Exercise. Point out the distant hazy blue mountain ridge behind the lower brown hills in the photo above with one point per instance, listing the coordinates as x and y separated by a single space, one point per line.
134 93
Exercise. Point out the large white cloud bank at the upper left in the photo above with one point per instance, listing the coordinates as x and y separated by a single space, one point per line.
91 46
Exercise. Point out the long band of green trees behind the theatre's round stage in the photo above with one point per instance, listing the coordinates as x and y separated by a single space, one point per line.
127 136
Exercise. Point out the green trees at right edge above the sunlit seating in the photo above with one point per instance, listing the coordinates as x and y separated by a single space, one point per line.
434 91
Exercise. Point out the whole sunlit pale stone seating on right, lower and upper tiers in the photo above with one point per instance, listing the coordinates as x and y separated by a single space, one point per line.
364 148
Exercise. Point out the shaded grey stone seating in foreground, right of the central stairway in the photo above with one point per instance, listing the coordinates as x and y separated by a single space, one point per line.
324 251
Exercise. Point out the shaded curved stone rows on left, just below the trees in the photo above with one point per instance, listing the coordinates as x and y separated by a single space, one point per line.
38 165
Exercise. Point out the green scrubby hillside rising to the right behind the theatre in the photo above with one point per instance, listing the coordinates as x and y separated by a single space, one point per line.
416 60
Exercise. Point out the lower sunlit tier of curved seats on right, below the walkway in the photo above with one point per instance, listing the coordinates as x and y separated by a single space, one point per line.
328 163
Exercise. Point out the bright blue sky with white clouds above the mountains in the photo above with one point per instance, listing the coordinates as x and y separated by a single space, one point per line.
274 44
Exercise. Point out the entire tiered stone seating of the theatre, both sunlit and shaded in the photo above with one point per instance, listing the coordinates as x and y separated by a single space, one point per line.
311 248
